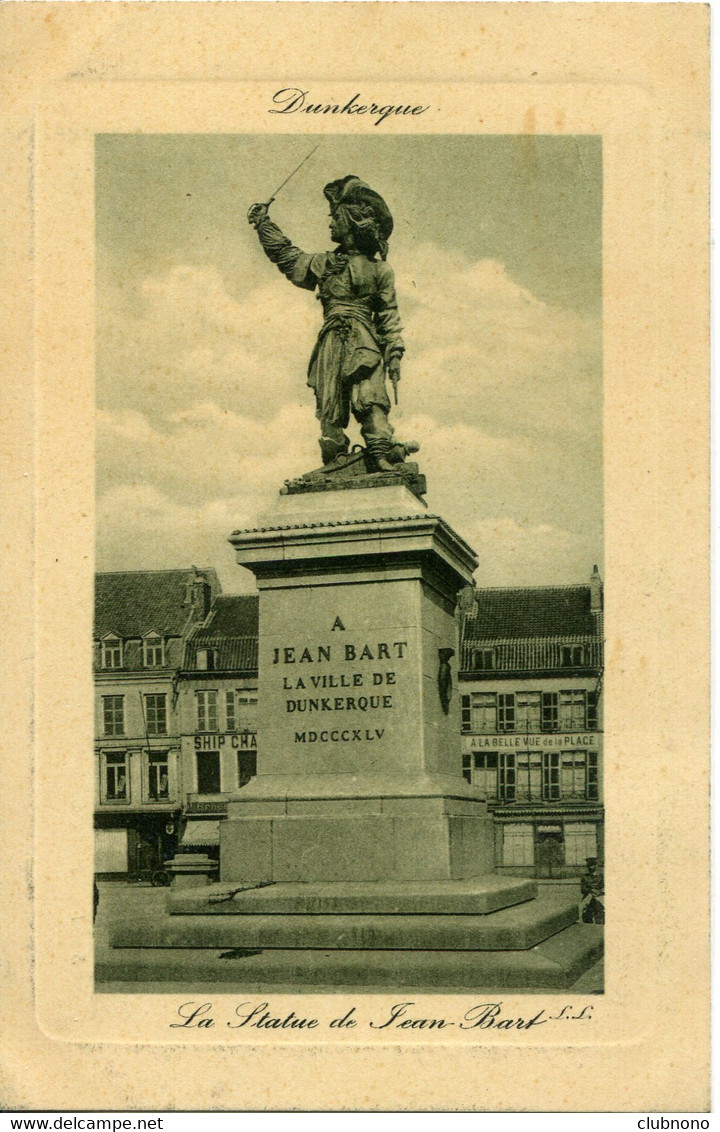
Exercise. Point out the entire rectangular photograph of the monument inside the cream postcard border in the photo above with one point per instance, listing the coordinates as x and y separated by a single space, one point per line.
349 711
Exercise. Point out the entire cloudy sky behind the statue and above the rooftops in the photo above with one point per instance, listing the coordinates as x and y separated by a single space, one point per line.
203 409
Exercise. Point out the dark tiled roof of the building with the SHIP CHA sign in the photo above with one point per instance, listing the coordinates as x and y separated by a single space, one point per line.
232 631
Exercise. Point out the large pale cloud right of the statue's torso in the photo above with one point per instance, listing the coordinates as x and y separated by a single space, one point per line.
483 349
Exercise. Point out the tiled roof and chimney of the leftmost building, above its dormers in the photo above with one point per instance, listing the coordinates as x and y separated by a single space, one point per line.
133 603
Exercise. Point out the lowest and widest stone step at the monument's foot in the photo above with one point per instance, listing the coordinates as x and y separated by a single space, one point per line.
552 966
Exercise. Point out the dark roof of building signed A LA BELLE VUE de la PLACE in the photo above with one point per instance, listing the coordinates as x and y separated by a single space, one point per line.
543 612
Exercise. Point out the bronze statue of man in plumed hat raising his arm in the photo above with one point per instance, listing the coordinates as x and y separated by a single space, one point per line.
361 340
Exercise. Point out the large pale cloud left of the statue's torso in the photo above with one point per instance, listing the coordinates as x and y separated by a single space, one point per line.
168 340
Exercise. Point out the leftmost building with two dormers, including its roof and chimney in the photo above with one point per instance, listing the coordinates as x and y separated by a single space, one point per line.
142 623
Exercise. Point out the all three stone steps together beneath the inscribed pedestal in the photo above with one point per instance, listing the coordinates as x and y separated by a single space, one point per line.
449 934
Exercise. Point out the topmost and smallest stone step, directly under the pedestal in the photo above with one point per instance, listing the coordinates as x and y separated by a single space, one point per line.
479 897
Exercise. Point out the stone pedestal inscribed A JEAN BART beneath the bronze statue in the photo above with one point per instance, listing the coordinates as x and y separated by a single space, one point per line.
359 759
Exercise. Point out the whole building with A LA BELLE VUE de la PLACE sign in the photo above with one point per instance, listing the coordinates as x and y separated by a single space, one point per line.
532 688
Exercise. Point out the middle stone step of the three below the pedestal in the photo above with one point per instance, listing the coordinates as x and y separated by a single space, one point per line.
511 929
